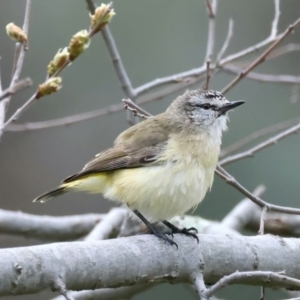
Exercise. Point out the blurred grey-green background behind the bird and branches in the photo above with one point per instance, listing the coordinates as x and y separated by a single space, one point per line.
155 39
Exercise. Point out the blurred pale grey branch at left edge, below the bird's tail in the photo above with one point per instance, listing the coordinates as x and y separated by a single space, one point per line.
50 228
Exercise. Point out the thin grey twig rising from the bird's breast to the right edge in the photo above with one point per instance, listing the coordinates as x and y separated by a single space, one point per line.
269 142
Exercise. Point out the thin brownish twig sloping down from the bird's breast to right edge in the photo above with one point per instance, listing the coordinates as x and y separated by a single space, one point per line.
271 207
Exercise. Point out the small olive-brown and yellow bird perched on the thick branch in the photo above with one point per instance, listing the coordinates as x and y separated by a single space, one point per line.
162 166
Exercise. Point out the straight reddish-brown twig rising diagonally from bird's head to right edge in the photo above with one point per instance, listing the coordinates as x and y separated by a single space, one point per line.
261 58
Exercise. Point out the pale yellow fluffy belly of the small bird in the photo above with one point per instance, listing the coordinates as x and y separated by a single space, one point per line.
160 192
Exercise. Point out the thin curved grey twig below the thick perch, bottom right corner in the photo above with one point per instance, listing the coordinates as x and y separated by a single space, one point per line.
243 277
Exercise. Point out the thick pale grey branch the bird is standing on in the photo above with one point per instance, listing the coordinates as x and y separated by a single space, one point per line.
121 262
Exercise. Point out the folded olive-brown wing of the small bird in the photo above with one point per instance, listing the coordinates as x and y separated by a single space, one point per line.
136 147
